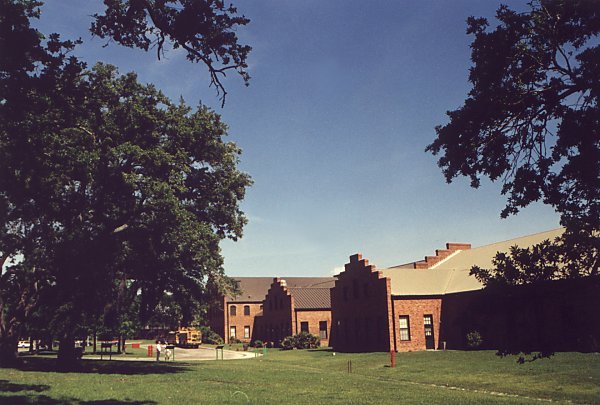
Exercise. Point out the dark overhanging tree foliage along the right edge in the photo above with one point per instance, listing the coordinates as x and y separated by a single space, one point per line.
531 120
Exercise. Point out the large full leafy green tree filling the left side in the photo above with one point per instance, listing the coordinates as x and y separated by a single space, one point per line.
112 193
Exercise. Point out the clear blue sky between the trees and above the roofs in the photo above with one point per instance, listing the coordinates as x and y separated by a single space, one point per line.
344 98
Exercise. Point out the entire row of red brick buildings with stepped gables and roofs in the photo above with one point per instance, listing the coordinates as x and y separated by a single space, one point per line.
427 304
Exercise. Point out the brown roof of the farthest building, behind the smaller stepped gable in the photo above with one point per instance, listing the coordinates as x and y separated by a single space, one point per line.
254 289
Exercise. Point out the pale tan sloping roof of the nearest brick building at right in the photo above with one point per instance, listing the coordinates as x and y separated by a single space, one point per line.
452 274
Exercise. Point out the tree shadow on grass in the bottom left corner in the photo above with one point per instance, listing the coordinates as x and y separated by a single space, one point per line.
33 397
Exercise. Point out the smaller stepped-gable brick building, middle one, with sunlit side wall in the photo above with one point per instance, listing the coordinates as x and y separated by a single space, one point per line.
291 310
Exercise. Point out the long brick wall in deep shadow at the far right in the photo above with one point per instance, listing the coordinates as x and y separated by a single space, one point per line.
550 316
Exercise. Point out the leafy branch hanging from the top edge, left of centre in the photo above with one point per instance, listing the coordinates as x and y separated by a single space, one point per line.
205 29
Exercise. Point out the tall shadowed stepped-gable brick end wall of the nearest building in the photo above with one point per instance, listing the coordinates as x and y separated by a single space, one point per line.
361 309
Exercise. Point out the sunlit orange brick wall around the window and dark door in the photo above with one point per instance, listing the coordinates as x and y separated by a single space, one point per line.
416 309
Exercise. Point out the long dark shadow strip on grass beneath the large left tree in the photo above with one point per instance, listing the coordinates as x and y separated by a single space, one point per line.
103 367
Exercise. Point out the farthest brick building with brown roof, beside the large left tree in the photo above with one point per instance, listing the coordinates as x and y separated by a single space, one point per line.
239 316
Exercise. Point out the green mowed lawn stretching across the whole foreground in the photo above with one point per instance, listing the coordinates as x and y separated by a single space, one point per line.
313 377
